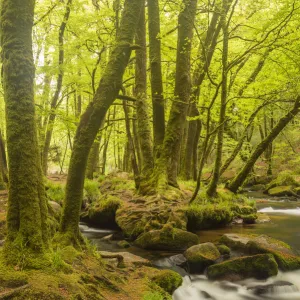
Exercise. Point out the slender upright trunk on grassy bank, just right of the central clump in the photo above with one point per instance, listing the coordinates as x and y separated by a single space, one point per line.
212 188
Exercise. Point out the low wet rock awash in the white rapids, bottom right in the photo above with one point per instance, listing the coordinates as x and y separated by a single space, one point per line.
274 288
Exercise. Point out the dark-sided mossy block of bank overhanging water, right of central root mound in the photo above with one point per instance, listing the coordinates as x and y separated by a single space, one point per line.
208 216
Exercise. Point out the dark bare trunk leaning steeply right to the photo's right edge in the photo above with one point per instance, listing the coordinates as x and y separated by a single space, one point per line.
262 147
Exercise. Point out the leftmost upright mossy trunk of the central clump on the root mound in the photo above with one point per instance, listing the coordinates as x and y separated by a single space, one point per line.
142 113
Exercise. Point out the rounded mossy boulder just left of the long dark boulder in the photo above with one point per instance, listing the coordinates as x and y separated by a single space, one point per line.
199 257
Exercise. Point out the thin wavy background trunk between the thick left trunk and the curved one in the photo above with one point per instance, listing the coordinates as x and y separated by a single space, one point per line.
52 117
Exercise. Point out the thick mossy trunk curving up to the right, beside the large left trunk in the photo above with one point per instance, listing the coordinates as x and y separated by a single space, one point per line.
107 91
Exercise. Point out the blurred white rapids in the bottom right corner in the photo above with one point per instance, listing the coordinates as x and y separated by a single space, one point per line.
199 288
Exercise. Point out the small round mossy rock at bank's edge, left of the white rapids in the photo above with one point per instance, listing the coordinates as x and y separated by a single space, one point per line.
168 280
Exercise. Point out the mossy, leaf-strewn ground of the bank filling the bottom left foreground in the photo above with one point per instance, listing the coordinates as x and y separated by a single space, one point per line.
87 277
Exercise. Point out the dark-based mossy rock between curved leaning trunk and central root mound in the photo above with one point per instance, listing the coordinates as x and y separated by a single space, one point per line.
103 212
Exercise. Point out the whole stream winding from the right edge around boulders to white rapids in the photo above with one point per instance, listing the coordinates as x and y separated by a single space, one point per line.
284 225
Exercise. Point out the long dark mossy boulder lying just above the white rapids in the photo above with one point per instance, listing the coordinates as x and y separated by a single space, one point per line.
261 266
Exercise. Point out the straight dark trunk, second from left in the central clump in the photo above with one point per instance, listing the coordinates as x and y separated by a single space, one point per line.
156 75
